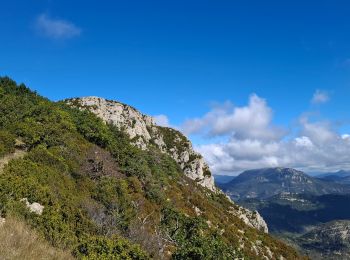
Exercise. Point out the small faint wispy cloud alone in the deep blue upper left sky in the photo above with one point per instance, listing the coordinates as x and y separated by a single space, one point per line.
56 28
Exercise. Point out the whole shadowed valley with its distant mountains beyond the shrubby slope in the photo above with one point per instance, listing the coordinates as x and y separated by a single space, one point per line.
311 214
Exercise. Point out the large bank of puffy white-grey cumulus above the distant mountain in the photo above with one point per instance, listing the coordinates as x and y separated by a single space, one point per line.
253 141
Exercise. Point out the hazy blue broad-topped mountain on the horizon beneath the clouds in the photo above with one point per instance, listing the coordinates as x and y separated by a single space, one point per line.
267 182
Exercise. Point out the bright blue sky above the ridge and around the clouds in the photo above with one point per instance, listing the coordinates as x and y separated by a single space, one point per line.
185 59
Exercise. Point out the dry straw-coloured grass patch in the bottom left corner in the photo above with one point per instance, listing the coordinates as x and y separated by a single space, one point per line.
19 242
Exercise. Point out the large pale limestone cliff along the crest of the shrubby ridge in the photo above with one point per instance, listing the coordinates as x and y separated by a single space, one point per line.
143 132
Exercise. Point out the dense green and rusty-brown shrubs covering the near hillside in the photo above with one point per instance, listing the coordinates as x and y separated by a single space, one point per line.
104 198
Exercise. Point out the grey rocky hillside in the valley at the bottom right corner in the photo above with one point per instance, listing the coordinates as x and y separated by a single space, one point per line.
328 241
